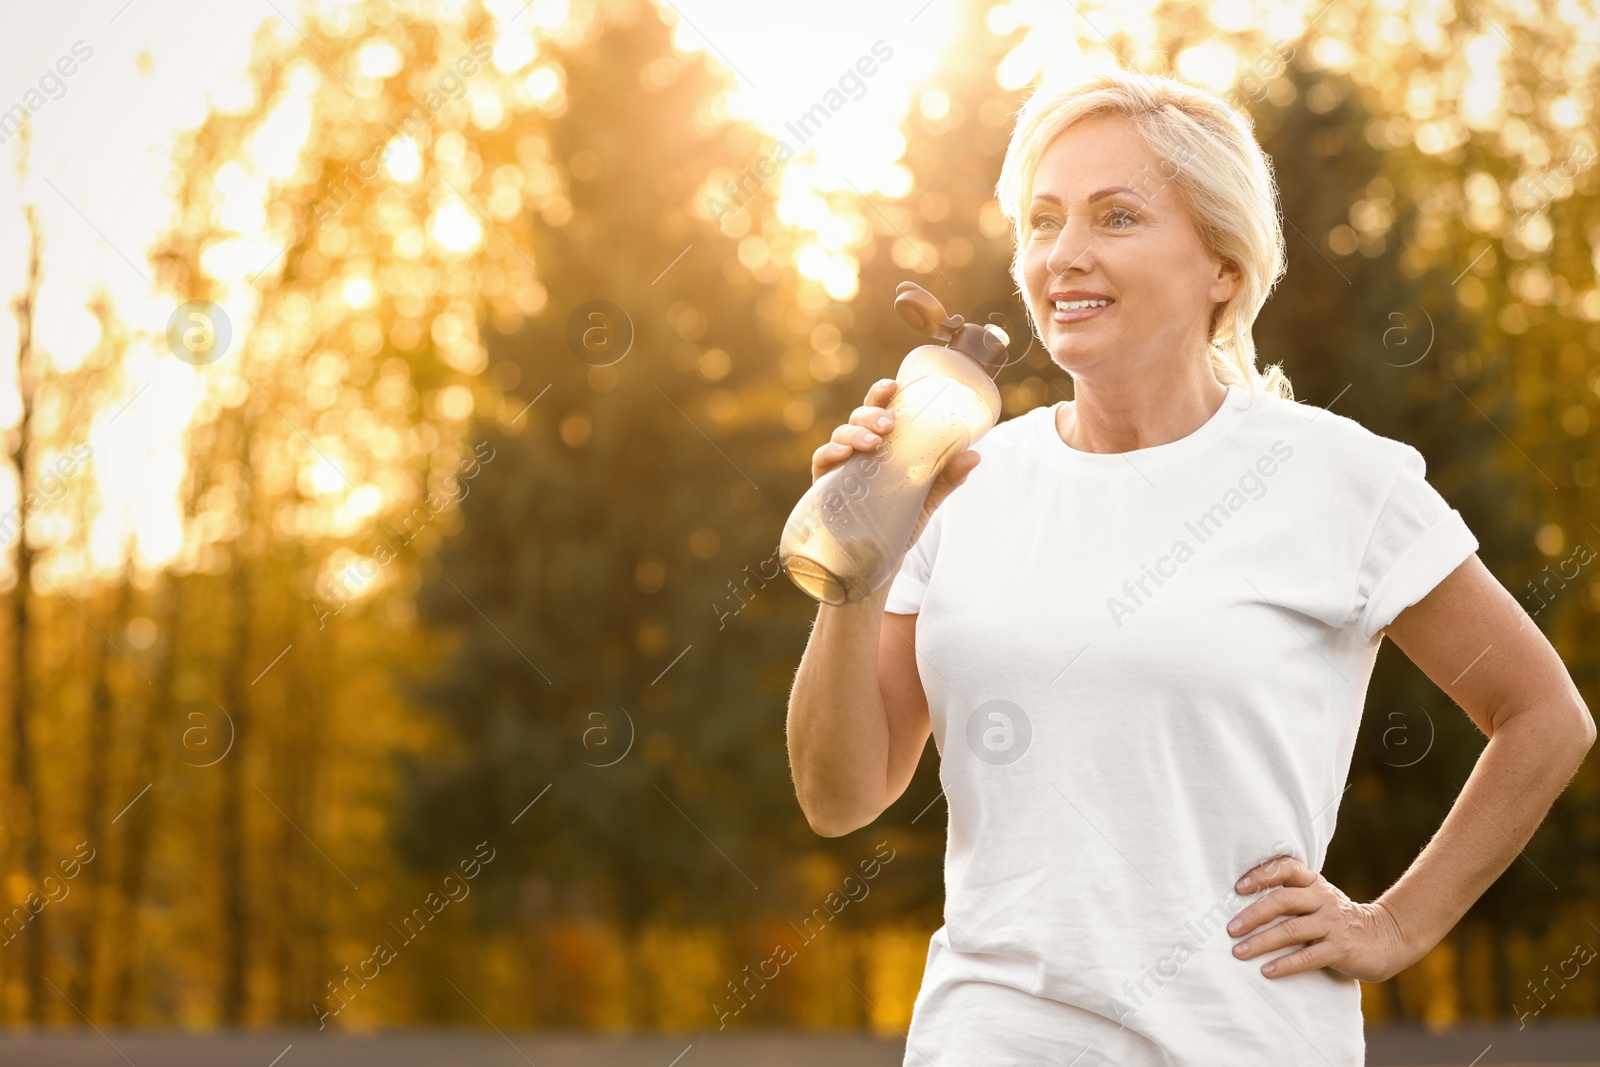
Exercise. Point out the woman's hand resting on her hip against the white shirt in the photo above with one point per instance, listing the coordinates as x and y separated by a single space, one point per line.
1362 941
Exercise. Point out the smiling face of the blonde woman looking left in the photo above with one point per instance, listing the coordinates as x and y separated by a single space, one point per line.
1110 225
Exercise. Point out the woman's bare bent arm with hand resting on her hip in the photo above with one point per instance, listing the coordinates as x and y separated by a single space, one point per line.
1478 644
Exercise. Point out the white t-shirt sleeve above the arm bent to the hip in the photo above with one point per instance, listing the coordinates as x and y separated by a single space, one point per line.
1417 541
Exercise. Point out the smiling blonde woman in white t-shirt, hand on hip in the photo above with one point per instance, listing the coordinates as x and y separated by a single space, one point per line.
1142 637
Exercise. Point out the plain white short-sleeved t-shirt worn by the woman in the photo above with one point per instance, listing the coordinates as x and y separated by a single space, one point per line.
1145 674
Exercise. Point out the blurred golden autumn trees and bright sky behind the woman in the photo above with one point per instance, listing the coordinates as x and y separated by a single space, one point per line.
409 401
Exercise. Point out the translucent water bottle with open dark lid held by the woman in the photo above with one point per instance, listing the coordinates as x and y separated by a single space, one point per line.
850 532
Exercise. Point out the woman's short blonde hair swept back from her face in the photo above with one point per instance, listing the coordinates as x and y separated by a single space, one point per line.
1220 174
